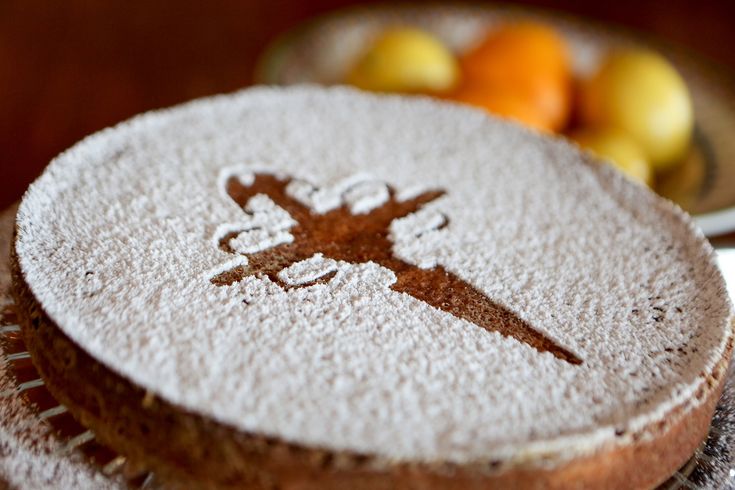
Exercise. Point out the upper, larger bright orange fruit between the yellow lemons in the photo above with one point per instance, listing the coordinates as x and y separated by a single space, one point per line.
527 59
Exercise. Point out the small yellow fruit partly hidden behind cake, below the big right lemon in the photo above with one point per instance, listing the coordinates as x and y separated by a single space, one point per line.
617 147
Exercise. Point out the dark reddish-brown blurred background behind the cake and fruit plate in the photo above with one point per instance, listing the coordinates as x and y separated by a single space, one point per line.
69 68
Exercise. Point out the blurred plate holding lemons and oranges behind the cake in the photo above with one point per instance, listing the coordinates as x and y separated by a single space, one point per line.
656 112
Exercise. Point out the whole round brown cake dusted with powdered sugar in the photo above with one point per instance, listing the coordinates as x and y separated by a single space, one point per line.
320 288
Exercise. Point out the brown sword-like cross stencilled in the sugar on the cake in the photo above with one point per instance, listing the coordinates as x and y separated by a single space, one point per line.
341 234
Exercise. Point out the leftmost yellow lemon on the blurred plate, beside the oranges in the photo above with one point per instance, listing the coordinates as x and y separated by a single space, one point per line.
405 60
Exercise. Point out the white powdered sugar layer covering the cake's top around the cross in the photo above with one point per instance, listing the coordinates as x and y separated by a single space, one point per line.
117 241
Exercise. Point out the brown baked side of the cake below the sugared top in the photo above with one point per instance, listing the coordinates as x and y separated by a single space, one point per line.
182 446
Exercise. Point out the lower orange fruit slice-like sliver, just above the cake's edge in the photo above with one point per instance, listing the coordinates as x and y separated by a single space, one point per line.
510 105
